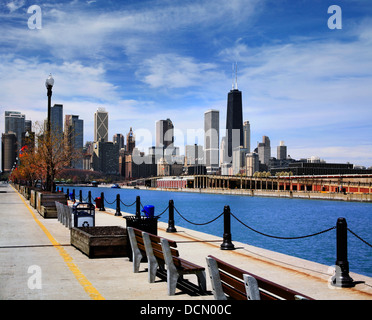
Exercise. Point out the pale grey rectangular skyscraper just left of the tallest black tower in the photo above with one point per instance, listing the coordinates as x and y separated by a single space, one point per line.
211 140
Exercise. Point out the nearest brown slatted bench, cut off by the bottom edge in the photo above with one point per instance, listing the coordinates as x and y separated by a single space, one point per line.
234 283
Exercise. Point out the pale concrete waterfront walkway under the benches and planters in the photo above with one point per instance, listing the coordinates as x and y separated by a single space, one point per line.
37 262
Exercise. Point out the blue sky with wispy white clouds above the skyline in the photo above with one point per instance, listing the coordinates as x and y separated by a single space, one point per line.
302 82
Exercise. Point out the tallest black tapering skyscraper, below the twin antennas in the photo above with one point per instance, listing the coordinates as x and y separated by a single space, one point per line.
234 121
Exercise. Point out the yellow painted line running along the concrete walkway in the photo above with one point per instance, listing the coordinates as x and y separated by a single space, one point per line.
84 282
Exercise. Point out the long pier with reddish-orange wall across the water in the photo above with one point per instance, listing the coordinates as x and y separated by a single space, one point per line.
333 187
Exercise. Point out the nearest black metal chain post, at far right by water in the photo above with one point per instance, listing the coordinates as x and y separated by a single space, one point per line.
341 277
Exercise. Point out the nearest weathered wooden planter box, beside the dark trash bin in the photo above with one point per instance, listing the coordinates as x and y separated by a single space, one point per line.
101 242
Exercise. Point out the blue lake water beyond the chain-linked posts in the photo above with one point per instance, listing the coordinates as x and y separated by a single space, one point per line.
274 216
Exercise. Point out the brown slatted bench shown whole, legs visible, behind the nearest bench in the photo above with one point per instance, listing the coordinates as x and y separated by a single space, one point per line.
163 256
